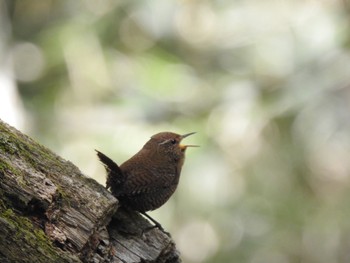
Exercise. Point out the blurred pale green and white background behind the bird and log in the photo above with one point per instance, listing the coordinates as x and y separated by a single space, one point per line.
264 83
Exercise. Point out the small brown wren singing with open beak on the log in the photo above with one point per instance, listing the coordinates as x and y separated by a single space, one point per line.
148 179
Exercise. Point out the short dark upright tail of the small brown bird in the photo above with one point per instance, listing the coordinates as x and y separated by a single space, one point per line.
115 176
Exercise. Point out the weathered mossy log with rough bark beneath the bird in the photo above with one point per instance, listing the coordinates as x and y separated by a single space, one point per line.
51 212
